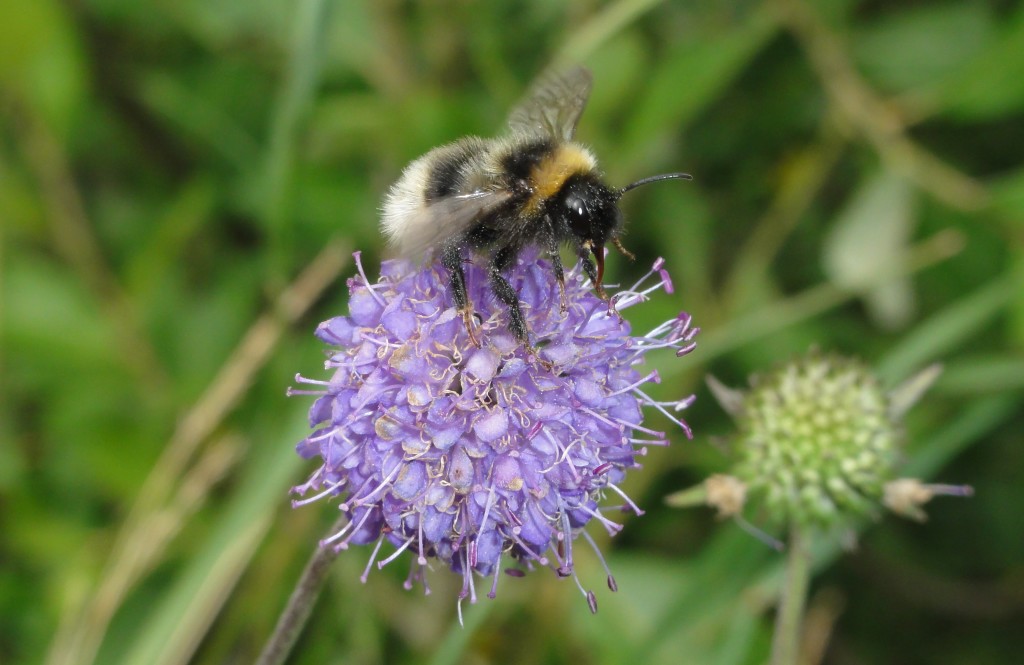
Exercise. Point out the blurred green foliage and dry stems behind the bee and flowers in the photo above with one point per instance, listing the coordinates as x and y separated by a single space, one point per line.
182 185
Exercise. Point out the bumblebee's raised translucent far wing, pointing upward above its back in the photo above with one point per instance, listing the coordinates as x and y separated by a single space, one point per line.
554 105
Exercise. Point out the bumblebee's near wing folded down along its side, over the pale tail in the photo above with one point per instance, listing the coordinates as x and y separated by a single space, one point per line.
415 232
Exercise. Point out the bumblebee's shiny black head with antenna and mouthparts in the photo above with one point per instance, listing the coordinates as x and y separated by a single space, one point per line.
590 213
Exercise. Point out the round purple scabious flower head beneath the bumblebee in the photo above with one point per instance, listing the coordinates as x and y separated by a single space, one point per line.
483 456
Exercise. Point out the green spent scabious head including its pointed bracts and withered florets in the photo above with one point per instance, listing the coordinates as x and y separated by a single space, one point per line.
819 445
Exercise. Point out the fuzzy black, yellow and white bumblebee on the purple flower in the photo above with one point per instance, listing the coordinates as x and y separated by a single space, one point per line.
493 197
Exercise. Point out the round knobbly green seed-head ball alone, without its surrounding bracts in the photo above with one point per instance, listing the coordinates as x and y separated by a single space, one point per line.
817 440
